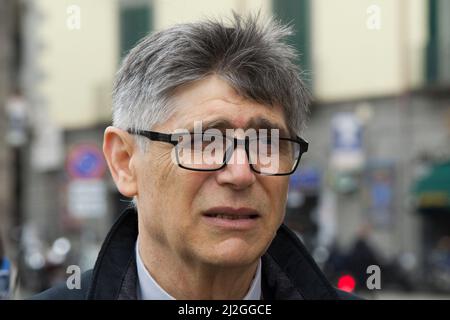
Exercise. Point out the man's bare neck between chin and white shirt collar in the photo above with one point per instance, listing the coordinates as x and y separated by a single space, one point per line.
185 280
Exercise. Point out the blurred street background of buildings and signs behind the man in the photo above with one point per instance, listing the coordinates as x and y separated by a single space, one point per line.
374 189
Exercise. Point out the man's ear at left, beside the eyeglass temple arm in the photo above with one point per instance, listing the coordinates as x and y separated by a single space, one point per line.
118 148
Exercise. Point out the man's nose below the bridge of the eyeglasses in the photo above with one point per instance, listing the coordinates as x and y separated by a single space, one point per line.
237 173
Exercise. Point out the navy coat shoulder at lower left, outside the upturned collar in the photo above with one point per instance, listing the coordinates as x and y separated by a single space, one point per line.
62 292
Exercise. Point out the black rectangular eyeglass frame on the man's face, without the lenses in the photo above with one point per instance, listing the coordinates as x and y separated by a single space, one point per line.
168 137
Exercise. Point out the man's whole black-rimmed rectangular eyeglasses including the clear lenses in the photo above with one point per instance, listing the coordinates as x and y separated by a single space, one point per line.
272 156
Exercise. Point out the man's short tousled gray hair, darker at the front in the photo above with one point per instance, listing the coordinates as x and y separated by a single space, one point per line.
252 57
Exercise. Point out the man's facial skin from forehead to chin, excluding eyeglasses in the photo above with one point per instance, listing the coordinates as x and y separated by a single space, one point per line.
178 208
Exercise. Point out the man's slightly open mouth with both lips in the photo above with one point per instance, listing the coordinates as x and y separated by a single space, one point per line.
232 218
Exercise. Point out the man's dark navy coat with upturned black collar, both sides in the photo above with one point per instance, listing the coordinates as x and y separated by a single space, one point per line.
288 271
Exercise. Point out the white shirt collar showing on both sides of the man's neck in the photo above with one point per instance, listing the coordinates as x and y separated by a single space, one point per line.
149 289
